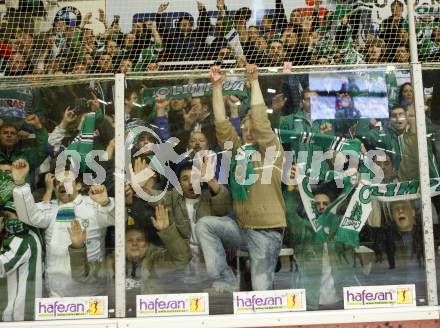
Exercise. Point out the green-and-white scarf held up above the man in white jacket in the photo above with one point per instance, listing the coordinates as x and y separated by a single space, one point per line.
83 142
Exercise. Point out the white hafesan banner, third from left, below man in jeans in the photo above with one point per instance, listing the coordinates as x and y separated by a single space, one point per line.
287 300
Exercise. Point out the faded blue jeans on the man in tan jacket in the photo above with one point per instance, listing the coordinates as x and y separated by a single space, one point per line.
217 233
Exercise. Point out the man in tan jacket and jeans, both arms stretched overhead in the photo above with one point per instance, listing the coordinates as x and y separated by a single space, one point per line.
258 205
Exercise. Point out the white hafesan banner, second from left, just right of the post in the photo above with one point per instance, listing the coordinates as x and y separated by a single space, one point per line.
172 304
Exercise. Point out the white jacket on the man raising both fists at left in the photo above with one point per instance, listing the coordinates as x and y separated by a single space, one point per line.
92 217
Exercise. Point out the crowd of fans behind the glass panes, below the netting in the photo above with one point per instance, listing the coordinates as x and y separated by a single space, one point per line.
185 216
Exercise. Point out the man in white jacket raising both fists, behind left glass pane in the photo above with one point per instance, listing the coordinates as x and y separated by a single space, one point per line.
94 212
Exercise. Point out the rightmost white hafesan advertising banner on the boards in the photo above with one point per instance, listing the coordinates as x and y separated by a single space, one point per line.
364 297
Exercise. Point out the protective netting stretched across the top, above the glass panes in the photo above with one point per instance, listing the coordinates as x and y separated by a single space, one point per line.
52 37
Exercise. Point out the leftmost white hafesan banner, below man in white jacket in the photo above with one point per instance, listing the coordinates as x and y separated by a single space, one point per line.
93 307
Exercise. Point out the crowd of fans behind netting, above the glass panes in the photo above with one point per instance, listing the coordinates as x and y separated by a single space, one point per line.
313 37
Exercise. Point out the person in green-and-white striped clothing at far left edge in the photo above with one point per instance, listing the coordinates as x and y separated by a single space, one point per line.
21 267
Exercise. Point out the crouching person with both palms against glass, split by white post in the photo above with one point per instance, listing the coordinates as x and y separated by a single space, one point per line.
143 259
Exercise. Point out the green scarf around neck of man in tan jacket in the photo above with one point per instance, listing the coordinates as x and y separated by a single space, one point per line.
242 168
